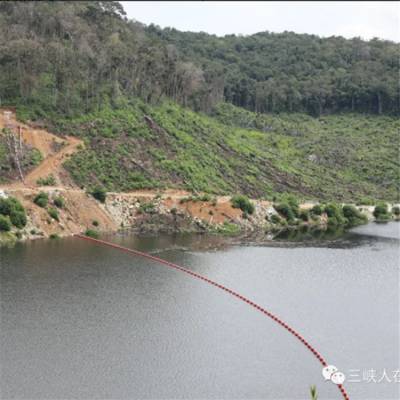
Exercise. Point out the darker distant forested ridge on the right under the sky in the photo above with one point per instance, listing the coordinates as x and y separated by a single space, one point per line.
269 72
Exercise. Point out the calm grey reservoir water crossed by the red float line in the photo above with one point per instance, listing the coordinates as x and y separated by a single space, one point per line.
81 321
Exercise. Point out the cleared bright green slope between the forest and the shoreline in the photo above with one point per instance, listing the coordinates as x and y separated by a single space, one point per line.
344 158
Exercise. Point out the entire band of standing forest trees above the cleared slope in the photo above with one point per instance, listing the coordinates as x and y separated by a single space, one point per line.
71 57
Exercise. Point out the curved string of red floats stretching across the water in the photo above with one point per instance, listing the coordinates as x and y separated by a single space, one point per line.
231 292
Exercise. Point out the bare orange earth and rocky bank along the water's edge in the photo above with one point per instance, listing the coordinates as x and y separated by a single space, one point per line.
149 211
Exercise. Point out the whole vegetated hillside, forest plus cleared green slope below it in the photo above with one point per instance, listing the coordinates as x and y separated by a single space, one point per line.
260 114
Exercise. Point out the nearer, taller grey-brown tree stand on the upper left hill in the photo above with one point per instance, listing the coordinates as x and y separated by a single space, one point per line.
71 57
